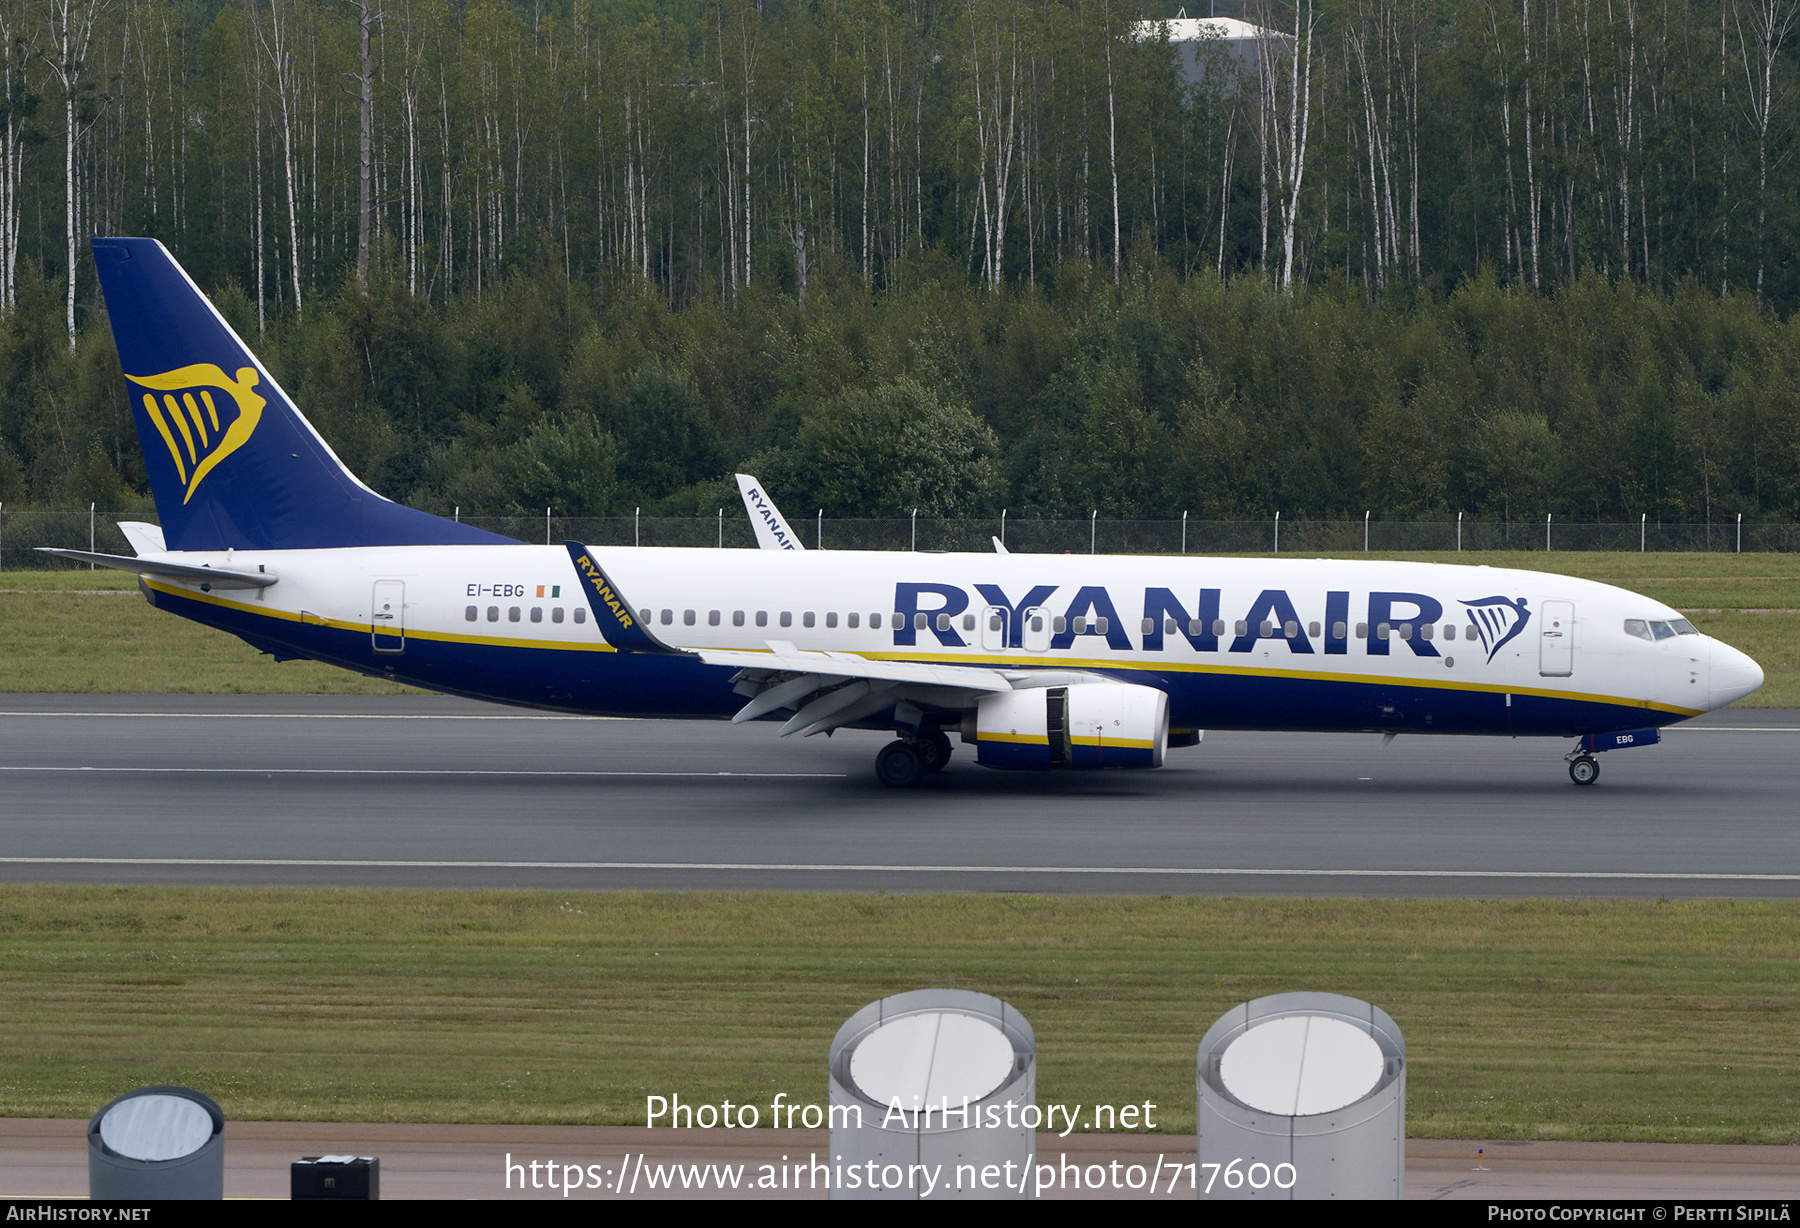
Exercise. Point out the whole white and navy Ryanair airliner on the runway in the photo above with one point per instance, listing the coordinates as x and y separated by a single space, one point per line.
1039 662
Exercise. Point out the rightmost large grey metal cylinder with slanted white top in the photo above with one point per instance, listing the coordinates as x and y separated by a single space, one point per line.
1302 1096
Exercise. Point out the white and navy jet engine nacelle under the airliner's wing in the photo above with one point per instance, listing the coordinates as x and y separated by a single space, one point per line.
1084 725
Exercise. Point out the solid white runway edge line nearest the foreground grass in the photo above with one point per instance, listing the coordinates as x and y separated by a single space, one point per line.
879 869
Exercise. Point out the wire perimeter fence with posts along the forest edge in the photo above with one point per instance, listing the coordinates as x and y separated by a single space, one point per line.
21 532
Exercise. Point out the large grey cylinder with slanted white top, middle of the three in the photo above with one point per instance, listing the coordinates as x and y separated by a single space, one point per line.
935 1096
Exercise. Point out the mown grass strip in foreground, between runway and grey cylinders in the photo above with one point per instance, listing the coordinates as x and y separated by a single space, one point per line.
1524 1020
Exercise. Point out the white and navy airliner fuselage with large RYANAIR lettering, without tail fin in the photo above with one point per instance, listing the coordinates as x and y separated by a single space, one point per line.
1236 642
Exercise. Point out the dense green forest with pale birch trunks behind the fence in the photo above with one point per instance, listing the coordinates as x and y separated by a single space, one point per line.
1500 257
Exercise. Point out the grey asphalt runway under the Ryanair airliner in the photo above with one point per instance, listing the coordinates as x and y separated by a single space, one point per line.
422 791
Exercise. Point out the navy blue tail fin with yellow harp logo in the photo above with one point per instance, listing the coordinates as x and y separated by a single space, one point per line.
231 462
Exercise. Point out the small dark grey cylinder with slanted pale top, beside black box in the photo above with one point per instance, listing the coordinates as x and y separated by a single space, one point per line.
157 1142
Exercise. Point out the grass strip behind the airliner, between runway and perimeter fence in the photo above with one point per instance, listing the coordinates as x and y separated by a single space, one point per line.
60 635
